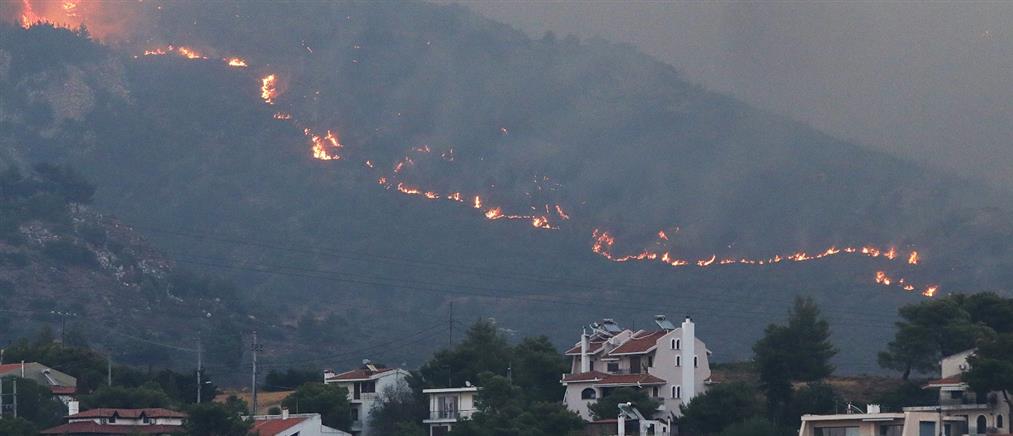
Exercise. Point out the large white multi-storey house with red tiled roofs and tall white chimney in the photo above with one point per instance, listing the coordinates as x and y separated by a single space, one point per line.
670 364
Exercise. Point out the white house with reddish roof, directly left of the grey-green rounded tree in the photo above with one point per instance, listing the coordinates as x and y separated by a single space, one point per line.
365 387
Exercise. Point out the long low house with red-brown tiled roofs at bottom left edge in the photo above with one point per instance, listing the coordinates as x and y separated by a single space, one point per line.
120 421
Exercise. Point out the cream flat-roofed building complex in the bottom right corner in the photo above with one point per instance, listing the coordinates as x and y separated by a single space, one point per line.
960 412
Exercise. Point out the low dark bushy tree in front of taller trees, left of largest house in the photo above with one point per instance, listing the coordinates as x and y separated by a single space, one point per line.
503 411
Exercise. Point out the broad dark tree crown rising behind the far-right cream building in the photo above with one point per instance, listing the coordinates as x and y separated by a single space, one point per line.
933 329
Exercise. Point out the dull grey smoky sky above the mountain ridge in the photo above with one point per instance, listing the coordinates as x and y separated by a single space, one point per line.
931 82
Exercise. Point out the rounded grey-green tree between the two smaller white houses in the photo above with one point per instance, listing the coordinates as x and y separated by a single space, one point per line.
400 410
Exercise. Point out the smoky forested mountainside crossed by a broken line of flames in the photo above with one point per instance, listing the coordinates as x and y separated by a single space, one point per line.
213 163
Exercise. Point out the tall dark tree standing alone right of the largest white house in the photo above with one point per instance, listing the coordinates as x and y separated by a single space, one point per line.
800 351
